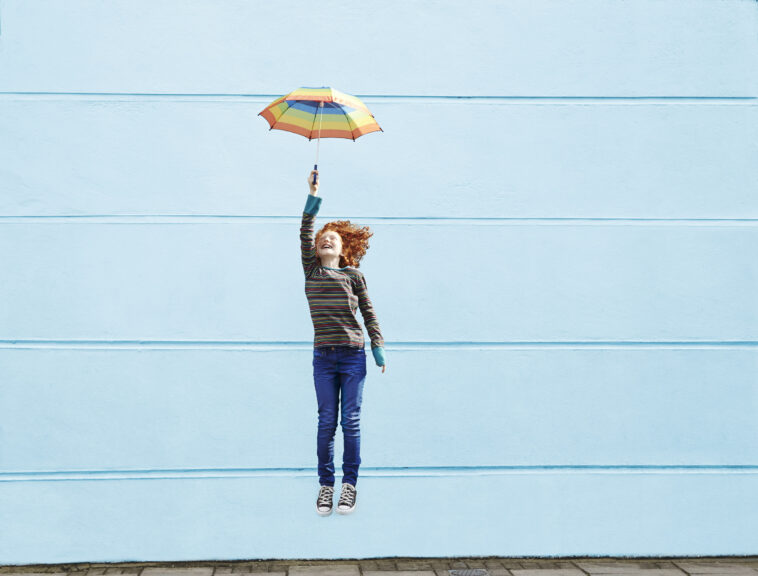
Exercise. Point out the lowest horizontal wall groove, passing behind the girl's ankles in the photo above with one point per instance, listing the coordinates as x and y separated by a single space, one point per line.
425 471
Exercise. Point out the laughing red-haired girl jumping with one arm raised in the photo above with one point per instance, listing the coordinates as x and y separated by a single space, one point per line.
335 289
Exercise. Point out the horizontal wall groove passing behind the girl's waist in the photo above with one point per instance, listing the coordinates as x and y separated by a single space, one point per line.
394 346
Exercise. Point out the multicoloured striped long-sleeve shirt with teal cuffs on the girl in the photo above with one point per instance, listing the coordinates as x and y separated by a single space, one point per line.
335 295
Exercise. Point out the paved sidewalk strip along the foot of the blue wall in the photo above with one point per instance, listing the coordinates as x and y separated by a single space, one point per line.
490 566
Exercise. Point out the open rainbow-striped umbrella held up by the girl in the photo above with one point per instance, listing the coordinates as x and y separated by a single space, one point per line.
320 113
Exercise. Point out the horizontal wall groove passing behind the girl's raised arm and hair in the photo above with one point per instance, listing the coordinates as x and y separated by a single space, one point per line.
400 220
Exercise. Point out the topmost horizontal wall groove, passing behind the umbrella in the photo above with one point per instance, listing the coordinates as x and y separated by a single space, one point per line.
377 98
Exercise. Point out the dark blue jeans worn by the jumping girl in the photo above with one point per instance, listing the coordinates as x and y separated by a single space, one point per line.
339 369
